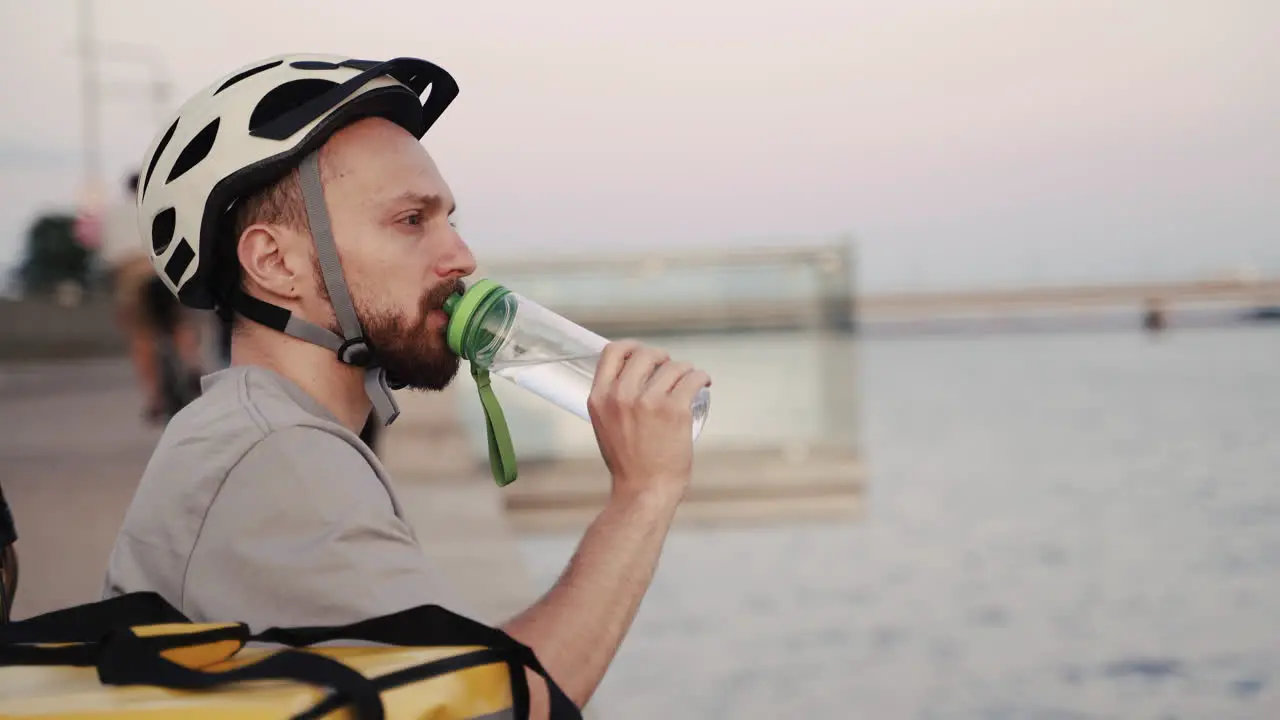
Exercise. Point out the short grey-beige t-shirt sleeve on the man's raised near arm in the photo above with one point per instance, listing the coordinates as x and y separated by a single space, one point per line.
304 534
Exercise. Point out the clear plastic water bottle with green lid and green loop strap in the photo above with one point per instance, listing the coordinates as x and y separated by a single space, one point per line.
508 335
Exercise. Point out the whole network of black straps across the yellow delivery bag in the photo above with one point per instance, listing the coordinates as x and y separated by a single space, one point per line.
103 635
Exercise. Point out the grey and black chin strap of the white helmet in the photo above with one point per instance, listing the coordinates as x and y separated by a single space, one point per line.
353 348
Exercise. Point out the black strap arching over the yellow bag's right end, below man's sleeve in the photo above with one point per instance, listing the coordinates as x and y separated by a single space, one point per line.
433 626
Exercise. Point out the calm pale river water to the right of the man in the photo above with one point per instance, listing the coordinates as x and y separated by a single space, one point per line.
1058 527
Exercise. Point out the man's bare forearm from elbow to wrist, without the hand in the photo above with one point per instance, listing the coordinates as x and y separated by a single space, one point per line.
579 625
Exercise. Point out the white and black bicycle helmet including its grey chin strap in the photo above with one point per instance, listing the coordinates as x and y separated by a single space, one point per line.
249 130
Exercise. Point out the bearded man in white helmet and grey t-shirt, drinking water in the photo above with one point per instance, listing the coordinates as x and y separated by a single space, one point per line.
296 194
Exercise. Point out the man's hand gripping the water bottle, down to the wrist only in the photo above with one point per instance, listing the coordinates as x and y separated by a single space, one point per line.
641 408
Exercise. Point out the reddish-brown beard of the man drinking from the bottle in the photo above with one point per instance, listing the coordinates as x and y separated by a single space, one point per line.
413 356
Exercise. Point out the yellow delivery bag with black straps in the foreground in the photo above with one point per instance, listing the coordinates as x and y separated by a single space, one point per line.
136 657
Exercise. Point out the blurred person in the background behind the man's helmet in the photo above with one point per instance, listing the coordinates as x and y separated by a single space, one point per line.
143 315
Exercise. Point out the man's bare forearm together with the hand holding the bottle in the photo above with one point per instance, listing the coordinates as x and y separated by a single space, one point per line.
641 408
